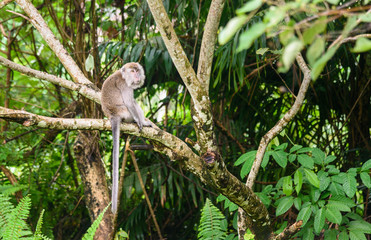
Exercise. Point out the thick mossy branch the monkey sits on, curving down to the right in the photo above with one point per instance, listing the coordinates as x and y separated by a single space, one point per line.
213 174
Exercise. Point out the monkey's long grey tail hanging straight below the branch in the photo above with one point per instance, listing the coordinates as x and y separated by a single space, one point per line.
115 124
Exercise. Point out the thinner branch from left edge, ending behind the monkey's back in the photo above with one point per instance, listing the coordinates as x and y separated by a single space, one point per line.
84 90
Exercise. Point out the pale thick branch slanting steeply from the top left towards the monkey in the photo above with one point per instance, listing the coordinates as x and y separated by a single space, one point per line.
39 23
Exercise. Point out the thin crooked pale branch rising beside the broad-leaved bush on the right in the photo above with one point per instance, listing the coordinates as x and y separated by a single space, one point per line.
282 122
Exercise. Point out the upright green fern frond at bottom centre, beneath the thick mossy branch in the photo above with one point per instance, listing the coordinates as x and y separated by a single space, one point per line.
210 223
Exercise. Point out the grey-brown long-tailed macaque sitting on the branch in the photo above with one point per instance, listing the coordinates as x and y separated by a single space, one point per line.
118 105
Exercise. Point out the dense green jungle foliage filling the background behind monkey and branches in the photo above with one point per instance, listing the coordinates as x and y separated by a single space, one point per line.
315 170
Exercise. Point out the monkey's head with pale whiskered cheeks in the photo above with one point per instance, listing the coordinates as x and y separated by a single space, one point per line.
133 73
